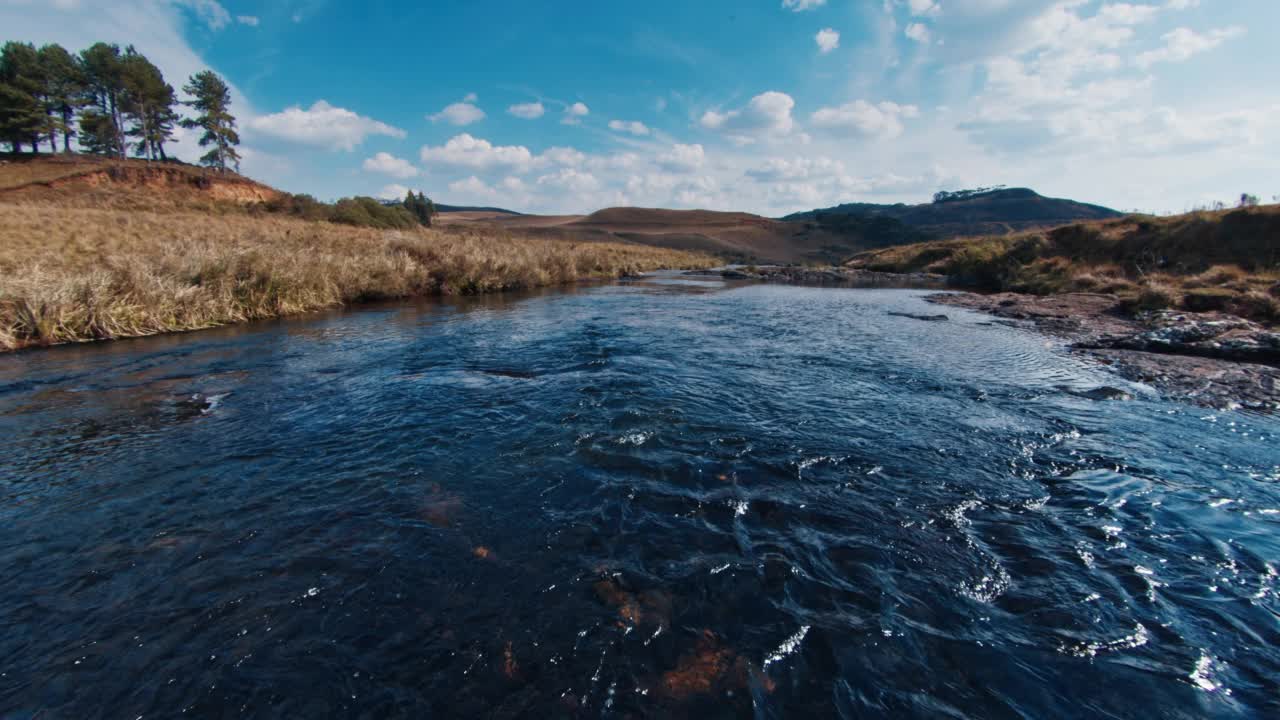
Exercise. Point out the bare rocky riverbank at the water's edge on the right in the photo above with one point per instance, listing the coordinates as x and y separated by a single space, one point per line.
1208 358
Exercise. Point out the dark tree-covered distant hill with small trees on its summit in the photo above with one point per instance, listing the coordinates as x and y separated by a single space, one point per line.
991 212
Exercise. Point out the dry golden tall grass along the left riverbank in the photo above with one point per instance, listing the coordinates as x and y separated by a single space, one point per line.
76 275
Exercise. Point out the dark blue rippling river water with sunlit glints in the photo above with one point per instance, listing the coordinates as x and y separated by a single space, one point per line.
650 499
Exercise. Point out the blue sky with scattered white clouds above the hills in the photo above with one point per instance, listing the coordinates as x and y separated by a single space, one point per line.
761 106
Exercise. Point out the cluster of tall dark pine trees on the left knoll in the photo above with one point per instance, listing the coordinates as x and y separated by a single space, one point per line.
112 102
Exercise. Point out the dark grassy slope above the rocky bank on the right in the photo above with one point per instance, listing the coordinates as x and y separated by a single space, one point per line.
1228 261
